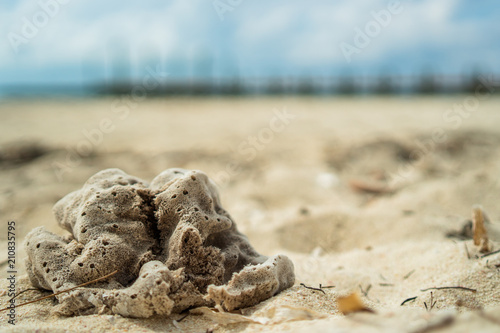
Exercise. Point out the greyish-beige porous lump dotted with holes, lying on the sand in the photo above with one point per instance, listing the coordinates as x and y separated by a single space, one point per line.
172 243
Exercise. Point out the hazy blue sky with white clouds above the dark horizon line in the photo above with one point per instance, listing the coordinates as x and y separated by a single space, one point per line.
84 41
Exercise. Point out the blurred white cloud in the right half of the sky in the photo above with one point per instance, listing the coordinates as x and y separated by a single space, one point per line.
306 34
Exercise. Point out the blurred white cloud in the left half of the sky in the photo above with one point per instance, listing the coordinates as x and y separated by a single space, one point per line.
69 36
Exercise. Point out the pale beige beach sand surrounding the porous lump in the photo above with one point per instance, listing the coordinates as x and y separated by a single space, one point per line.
291 172
